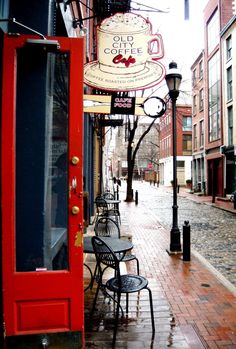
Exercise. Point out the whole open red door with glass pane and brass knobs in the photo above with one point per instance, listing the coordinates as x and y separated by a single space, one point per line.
42 213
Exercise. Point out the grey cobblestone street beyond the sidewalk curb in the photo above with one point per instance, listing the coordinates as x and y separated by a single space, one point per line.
213 231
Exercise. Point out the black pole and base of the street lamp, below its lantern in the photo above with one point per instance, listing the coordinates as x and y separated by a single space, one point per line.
175 244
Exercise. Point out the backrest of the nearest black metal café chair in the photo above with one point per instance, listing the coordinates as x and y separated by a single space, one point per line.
104 255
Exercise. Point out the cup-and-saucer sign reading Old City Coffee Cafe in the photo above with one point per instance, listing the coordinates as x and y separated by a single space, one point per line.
128 55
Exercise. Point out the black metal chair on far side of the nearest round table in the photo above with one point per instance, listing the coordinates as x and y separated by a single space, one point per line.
106 226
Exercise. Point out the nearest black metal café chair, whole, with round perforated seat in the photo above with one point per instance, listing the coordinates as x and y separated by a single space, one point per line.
119 284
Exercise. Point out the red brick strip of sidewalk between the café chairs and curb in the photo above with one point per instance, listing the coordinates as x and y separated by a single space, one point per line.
197 298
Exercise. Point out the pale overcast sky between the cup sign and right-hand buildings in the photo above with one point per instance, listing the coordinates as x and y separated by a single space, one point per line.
183 39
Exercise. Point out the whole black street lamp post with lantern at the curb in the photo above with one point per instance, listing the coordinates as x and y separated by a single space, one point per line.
173 80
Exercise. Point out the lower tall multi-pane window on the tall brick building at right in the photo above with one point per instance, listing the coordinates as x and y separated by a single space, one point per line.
214 97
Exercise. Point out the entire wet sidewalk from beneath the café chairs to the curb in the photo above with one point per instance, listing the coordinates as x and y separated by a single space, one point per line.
193 309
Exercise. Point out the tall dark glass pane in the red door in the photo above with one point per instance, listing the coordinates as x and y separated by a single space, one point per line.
41 160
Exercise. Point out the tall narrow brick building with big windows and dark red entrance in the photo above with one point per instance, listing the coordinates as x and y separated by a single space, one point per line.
217 13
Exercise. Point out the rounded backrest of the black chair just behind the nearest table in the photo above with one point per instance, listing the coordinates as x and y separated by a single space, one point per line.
106 226
